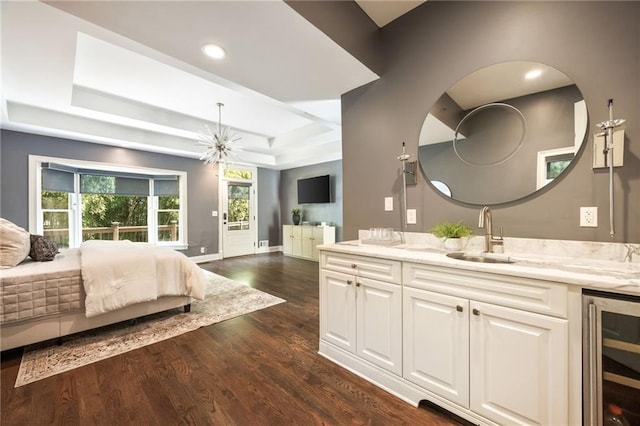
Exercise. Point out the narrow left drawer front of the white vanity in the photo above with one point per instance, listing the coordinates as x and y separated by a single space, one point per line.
366 267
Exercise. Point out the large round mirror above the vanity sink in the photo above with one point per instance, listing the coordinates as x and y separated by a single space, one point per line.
502 133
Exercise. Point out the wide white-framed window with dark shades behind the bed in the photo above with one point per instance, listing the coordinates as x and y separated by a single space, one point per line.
76 203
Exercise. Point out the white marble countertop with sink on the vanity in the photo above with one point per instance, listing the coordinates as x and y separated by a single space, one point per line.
594 273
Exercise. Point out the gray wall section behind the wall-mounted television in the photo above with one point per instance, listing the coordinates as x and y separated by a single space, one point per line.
325 212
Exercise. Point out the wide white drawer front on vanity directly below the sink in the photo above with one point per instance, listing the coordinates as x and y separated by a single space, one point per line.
539 296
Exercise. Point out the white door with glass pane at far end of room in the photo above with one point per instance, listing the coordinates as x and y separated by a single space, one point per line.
238 219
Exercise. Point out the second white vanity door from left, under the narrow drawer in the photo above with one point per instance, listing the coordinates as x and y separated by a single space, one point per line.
379 323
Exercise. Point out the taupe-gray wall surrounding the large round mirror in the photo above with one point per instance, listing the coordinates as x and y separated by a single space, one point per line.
597 44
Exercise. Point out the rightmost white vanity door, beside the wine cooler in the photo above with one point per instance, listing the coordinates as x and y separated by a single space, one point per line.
519 366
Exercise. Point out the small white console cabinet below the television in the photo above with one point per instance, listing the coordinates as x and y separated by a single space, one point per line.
302 241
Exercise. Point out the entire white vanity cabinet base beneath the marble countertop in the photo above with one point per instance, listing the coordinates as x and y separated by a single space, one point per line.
491 348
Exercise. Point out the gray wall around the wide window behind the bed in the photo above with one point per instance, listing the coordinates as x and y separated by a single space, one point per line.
15 148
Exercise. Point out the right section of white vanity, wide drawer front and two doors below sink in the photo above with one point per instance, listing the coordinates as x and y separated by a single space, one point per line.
496 345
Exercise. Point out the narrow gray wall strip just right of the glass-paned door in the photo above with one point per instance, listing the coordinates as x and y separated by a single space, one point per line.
269 222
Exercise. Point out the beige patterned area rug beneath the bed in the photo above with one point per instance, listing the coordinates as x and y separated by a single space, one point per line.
225 299
